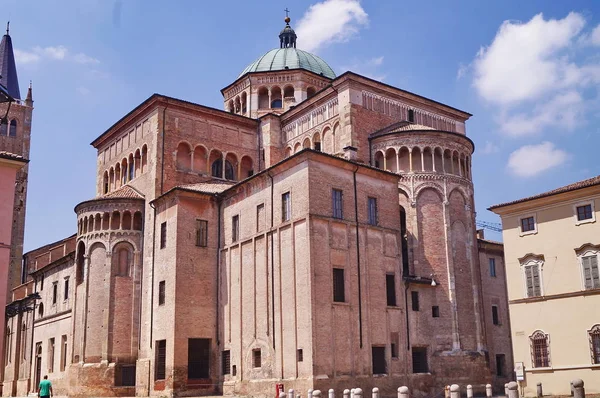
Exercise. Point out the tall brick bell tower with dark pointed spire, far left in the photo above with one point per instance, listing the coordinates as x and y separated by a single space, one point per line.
15 138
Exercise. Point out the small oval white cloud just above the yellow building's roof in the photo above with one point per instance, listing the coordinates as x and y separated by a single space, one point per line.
531 160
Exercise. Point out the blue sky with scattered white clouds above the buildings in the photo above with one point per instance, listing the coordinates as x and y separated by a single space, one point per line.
527 71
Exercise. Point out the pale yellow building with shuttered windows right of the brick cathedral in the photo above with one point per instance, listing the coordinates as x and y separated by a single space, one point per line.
552 243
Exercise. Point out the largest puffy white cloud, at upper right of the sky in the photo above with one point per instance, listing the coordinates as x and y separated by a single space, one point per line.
532 73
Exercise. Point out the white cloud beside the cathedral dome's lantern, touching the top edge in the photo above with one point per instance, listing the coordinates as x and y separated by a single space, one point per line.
330 21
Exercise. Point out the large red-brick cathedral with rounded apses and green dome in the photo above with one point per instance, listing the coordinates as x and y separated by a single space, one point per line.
319 232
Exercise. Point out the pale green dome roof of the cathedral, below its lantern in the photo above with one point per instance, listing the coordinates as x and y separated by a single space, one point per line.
290 58
